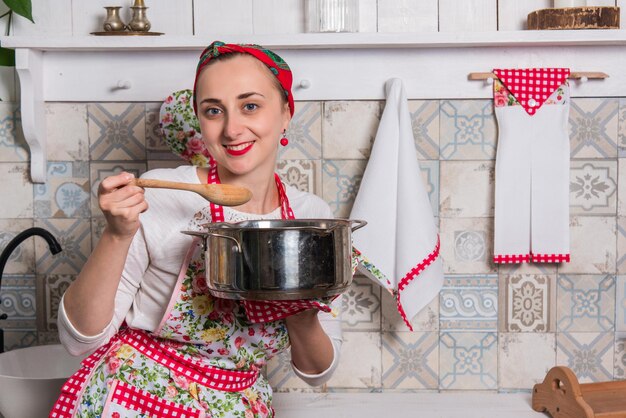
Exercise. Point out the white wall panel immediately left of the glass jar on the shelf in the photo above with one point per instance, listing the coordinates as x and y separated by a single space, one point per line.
278 16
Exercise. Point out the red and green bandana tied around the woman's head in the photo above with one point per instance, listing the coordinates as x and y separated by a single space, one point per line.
277 66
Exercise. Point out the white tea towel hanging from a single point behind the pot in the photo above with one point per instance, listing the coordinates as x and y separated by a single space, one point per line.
400 241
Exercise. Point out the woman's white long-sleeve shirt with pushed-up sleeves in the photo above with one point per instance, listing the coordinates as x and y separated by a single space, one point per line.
155 256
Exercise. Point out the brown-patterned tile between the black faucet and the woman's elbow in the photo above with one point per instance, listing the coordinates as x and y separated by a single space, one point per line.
50 289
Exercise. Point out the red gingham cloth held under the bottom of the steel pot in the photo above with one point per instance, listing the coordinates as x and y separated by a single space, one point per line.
273 310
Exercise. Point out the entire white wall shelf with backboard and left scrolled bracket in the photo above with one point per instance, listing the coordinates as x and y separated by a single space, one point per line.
344 66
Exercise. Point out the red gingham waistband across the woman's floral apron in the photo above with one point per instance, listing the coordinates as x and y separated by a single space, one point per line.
212 377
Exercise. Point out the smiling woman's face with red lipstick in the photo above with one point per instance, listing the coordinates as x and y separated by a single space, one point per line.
241 114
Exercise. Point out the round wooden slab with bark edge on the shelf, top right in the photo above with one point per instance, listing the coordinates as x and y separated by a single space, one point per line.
574 18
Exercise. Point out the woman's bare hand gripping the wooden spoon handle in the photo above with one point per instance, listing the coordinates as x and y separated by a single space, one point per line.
121 202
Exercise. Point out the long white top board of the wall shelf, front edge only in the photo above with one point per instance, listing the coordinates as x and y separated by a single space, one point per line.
327 40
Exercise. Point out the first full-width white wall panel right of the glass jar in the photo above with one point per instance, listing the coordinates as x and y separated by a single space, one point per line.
407 16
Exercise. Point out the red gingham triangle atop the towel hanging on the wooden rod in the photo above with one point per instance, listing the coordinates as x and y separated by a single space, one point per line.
532 86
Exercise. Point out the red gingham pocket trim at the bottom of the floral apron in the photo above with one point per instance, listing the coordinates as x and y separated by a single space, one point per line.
143 402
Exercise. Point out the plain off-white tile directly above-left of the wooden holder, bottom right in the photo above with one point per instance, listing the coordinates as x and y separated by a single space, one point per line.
524 359
